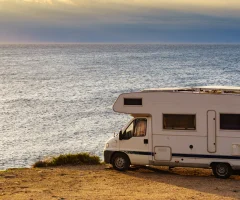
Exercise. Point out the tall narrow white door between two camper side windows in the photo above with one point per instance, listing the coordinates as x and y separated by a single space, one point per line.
211 131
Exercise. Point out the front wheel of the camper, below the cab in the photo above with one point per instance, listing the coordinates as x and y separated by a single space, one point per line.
120 162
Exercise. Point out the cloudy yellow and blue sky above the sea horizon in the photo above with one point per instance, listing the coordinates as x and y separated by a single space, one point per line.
120 21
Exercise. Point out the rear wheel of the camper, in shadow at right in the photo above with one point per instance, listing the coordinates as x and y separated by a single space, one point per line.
222 170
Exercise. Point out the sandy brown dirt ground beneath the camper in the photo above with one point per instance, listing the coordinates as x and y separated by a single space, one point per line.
103 182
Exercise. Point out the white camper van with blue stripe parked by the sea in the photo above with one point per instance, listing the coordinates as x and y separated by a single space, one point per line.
179 127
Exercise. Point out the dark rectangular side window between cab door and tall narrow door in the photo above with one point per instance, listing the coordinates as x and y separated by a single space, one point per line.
179 121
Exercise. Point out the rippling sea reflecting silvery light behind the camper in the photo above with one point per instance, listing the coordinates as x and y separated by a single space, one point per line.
58 98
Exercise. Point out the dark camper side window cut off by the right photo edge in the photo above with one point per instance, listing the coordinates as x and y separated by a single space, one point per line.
230 121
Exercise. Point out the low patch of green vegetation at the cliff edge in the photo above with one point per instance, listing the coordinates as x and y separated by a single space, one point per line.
69 159
